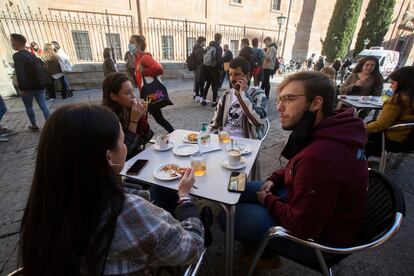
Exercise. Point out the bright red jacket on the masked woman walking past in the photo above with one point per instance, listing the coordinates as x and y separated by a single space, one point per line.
150 67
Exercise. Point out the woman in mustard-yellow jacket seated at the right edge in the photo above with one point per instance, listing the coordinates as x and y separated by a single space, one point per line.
397 110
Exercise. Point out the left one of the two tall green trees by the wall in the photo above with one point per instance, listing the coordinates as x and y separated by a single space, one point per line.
341 28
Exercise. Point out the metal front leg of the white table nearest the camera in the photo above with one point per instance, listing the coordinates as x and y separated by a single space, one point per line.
230 210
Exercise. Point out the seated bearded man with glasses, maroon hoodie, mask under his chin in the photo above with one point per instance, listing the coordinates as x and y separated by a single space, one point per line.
321 194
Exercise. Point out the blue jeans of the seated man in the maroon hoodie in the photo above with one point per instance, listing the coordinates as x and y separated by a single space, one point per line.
252 221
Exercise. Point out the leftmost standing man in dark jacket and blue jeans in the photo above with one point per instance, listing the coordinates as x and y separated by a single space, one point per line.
25 66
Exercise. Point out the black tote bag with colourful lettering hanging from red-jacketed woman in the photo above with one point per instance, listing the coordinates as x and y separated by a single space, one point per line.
155 94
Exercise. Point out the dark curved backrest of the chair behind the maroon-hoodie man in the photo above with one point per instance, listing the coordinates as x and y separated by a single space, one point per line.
384 201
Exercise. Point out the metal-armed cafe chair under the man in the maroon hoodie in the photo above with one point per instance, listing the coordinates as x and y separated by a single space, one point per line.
384 214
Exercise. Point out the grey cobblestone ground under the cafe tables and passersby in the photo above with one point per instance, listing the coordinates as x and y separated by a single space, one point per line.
17 158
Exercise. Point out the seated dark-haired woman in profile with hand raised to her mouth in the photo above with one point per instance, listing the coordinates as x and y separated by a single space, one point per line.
118 95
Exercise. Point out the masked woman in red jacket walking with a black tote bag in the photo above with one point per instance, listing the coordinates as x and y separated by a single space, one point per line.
146 66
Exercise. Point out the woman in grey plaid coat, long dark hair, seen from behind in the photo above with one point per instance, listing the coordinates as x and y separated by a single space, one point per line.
79 221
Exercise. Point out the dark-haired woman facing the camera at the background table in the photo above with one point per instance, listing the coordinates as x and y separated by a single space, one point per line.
365 80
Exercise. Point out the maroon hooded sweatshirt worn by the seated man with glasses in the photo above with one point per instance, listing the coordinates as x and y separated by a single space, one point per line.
326 184
